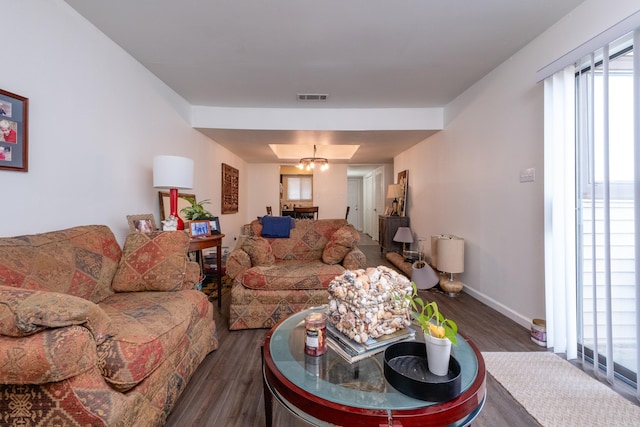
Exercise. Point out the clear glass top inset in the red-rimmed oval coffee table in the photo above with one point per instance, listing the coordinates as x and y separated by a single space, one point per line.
361 384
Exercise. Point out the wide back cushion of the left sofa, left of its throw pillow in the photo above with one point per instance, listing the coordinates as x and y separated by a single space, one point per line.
79 261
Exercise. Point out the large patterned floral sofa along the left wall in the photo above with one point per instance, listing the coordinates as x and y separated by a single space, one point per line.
92 335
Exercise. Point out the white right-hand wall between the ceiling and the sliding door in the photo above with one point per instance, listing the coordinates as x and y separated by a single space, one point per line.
465 179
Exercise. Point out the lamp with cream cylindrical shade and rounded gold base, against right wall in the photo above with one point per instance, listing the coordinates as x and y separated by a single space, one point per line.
450 260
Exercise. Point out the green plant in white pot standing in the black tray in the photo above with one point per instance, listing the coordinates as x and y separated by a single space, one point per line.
439 332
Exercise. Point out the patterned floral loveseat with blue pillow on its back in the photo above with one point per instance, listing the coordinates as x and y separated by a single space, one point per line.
276 277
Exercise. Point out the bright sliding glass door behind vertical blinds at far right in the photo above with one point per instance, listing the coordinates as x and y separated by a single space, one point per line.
606 210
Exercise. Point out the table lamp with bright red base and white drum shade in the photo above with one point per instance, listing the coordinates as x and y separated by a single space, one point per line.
173 173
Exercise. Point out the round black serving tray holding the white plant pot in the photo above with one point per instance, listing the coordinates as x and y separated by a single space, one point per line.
406 369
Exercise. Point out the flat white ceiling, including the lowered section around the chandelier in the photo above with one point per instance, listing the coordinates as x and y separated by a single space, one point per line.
362 53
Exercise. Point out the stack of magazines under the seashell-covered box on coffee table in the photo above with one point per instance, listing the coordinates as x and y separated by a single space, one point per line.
352 351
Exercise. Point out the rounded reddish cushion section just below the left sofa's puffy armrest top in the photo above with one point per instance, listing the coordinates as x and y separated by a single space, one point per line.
37 359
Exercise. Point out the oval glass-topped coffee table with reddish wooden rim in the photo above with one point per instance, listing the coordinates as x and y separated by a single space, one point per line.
328 390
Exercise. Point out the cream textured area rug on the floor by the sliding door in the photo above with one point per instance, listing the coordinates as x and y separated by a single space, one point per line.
556 393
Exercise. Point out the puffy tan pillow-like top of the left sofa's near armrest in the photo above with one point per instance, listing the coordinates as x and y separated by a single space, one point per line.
25 312
